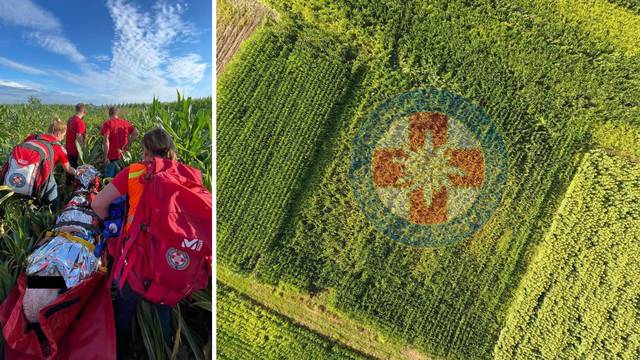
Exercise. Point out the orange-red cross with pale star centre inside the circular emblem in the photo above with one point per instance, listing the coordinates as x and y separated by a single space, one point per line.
421 171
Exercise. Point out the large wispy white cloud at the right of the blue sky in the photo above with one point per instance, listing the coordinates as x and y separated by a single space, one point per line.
142 65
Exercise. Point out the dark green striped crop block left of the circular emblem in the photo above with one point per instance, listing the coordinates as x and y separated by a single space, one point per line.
273 107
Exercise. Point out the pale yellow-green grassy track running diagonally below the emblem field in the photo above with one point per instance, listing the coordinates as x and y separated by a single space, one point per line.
317 313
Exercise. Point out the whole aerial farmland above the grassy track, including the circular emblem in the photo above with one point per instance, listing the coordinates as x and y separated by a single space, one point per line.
411 161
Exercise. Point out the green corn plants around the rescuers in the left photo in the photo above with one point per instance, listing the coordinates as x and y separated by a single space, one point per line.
189 122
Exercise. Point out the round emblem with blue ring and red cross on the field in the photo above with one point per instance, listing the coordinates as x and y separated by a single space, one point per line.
428 168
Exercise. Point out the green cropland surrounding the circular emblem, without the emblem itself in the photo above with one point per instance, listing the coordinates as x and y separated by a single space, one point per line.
550 86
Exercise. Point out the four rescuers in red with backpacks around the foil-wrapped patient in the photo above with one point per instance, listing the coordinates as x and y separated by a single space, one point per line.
44 151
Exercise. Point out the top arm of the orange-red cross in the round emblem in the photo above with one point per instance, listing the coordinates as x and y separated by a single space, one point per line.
420 122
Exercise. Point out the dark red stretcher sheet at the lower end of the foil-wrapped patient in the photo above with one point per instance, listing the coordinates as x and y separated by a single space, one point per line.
78 325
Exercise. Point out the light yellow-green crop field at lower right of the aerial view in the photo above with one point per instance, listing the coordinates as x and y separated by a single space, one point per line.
580 297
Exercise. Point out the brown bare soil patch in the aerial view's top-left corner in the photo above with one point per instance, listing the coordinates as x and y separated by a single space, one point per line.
236 21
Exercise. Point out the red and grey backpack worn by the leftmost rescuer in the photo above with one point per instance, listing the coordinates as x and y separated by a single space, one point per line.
29 167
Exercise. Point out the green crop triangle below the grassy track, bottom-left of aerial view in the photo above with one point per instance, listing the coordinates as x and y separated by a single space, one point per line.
249 331
